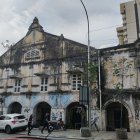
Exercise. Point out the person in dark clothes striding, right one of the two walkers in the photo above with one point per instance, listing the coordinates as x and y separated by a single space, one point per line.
46 123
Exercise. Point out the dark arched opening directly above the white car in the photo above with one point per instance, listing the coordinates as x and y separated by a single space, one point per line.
14 108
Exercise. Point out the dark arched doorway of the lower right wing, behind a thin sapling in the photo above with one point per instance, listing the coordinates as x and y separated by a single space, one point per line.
113 116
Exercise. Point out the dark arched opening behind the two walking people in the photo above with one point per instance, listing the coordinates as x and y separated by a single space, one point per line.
39 112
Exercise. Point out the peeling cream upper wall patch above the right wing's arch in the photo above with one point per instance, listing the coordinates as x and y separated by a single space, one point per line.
129 77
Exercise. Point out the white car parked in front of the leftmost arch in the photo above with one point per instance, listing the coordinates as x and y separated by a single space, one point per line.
10 122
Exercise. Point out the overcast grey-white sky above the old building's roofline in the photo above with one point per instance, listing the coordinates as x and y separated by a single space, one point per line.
65 17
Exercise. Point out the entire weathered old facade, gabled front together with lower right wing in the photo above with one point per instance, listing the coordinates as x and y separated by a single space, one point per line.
43 72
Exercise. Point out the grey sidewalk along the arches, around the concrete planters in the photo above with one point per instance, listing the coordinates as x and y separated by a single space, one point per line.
75 134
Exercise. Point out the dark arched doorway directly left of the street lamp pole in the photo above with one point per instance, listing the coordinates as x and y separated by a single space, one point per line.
75 115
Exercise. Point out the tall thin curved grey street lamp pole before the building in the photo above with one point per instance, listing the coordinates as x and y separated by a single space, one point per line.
88 89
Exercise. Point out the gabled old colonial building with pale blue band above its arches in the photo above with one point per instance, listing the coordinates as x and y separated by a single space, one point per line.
42 73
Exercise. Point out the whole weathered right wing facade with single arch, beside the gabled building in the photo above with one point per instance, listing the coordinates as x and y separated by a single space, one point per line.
120 86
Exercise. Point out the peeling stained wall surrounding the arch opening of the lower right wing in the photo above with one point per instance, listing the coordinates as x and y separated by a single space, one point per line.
121 75
